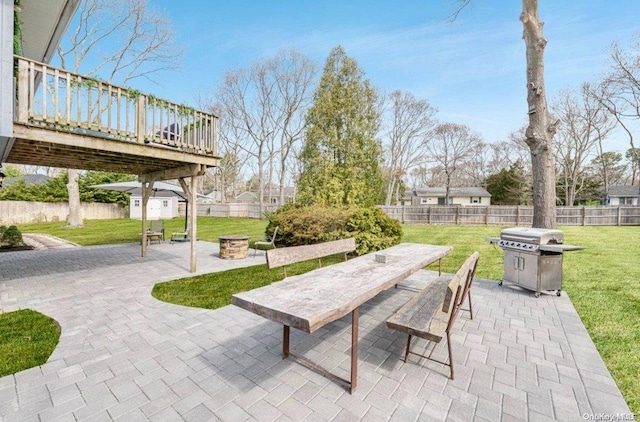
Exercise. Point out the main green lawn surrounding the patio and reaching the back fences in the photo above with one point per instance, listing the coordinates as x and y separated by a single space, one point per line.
602 281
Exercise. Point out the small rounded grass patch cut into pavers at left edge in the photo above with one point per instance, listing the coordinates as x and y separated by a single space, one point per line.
27 339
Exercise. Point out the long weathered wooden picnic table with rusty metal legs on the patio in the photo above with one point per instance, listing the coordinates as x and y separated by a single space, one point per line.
314 299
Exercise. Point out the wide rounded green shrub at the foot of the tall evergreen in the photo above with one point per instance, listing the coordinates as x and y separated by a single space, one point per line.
306 225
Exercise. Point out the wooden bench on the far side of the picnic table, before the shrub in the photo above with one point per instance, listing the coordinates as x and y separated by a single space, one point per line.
286 256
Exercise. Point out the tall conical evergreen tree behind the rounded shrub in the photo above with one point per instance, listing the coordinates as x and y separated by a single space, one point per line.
341 156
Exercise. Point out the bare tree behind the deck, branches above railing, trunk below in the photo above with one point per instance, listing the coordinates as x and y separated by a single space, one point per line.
117 41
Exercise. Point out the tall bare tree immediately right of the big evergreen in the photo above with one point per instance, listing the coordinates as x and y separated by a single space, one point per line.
409 122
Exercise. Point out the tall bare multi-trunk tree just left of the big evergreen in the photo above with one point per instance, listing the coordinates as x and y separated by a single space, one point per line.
264 107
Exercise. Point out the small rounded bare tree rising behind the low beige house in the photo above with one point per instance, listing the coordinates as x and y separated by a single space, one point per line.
450 147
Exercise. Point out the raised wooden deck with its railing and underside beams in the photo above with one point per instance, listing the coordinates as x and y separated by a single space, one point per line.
66 120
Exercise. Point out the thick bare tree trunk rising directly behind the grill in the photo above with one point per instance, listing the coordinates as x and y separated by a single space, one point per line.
539 133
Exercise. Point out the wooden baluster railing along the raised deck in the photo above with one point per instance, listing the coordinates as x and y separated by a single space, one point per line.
62 100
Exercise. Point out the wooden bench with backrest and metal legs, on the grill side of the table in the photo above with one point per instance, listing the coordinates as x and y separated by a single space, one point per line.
431 313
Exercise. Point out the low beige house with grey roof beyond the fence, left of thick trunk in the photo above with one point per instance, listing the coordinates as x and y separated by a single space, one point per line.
465 196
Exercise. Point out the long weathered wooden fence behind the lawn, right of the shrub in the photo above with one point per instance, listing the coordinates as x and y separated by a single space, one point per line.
514 215
